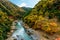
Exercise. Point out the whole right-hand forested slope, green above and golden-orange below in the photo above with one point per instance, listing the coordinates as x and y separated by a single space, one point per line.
45 16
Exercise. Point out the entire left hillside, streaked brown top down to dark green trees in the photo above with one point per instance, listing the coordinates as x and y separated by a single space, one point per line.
8 13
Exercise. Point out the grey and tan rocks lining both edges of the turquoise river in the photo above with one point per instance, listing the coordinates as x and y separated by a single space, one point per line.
33 34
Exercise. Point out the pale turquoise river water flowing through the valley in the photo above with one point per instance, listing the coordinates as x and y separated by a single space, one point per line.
20 33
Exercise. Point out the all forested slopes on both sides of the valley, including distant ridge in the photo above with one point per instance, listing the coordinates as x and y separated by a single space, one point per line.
44 16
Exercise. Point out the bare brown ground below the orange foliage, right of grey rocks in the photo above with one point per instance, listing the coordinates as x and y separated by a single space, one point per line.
43 35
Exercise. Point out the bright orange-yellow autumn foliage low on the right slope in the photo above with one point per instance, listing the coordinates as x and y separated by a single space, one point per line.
46 25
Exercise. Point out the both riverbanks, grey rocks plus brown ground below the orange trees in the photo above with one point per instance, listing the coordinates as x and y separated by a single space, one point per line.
36 34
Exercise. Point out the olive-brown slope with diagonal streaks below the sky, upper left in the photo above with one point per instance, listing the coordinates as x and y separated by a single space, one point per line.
11 8
